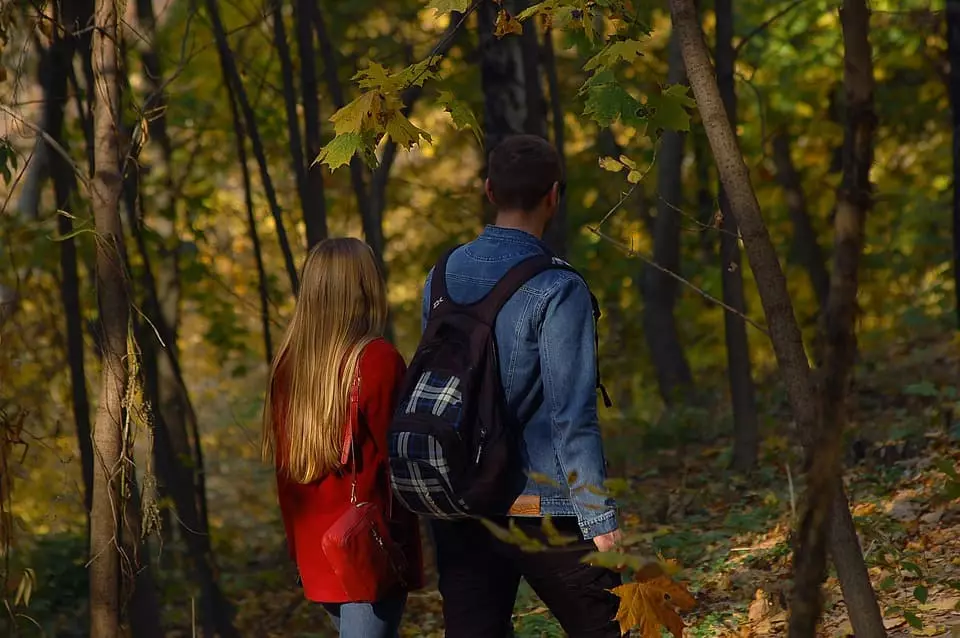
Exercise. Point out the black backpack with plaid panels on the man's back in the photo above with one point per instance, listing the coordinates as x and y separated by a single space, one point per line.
453 446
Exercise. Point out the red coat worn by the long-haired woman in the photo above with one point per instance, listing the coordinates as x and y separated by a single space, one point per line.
309 510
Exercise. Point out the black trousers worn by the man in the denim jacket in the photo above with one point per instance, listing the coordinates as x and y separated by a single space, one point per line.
480 574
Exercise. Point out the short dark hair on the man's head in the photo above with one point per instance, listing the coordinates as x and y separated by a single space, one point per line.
522 169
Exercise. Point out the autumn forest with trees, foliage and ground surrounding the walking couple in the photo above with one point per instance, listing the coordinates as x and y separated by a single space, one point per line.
158 282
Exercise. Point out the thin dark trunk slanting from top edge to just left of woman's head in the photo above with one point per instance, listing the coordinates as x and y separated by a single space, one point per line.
230 74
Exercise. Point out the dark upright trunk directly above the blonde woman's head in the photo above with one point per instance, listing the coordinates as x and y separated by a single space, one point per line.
315 208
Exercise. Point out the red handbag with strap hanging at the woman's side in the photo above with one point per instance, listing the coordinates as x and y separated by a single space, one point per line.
358 546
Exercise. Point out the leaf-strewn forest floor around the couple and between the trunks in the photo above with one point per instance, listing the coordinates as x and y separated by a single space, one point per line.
729 533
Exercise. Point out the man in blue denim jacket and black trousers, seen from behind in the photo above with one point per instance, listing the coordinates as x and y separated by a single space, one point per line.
545 337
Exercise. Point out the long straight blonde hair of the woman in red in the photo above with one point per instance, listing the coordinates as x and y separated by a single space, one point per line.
342 306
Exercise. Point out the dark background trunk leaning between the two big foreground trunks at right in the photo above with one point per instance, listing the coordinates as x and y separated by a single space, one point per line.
805 242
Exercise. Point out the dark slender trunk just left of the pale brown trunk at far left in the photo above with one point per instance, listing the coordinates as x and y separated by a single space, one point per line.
57 63
